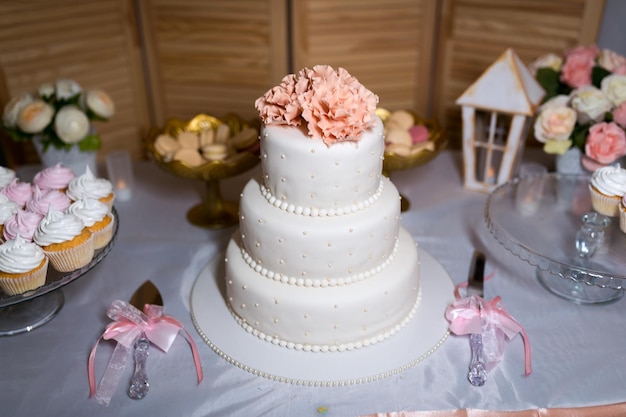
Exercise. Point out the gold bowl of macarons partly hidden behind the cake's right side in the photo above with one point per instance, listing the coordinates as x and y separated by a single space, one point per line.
398 157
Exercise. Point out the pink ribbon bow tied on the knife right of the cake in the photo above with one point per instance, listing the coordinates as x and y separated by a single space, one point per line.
476 315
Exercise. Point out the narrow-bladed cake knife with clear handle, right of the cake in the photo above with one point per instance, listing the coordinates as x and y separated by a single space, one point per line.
478 372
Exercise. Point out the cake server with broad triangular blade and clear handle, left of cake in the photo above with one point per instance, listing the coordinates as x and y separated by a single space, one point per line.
147 293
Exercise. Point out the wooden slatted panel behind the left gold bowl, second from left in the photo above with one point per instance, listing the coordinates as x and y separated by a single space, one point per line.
209 56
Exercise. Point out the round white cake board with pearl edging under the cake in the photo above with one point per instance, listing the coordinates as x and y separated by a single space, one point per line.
410 346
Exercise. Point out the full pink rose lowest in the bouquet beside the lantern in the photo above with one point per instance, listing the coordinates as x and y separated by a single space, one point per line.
605 142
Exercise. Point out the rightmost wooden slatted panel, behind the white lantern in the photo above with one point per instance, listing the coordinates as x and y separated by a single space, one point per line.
474 33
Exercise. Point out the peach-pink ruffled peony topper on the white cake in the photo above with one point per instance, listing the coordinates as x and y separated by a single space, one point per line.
332 104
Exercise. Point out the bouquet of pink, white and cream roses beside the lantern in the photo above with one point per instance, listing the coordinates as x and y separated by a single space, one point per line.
585 104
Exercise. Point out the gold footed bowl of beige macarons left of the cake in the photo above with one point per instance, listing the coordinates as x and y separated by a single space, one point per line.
213 211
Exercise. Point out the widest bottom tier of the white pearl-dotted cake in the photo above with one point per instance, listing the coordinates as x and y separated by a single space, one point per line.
333 318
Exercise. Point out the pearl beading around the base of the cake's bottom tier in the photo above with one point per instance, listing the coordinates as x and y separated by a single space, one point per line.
342 347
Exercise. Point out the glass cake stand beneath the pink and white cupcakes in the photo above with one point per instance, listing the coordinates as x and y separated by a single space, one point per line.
25 312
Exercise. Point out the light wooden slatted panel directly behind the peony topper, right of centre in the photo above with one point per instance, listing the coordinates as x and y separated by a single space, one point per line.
387 45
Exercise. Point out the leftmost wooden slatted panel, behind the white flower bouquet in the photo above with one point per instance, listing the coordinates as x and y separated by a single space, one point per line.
93 42
